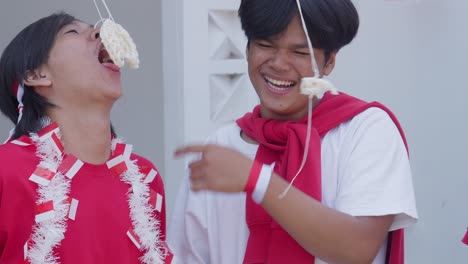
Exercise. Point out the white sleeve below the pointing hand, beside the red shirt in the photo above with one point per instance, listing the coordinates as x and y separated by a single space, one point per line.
187 233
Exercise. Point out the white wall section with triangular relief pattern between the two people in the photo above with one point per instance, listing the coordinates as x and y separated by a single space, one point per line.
204 76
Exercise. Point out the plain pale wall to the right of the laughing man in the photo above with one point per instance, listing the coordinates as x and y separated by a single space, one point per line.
413 57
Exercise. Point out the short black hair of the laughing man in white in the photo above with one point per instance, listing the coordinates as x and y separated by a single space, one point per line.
331 24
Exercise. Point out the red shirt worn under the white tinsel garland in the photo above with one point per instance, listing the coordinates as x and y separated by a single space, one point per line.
98 235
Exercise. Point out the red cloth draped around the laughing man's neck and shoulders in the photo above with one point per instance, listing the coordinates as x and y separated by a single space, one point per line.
283 143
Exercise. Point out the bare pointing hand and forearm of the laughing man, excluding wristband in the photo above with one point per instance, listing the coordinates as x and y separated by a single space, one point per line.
326 233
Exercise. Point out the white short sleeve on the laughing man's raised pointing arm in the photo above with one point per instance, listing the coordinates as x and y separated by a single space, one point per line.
375 175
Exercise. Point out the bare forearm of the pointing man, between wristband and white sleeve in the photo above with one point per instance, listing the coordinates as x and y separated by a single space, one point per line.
331 235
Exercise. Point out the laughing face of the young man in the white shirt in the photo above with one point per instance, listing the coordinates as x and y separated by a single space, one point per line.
276 66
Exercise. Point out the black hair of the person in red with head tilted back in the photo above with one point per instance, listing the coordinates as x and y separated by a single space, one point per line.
26 52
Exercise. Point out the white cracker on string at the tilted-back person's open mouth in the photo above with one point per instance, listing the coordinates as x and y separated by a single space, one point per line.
118 43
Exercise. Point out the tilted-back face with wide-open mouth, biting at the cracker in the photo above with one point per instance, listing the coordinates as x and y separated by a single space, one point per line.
80 71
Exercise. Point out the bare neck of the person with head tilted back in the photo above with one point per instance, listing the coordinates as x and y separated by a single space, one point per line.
86 136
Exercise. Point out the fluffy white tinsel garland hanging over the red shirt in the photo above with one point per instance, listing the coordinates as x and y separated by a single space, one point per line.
48 234
